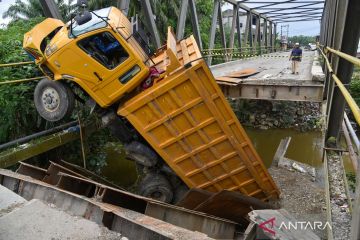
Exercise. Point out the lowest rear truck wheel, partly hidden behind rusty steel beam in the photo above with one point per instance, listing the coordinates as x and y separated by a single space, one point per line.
157 187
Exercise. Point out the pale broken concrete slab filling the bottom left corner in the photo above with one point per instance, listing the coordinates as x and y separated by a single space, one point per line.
36 220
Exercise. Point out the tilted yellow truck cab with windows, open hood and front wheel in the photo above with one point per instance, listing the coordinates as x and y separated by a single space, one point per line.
100 54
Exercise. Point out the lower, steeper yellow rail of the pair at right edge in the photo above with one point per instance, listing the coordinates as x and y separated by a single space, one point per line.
350 101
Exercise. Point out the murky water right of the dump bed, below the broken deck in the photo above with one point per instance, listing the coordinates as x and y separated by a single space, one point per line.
305 147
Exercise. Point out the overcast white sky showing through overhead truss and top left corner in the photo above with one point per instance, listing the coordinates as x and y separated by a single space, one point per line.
296 28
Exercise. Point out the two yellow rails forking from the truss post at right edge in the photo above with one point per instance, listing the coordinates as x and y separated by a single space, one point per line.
350 101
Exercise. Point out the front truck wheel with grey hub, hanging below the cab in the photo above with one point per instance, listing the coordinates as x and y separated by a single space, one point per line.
53 100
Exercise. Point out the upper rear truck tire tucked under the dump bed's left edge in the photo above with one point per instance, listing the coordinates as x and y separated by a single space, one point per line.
141 154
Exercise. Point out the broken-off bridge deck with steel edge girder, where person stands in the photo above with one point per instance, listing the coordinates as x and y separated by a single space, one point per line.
274 81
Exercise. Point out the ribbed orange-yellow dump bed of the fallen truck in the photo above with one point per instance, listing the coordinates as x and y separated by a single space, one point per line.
187 120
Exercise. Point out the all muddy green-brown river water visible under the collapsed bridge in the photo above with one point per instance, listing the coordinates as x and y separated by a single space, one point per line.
305 147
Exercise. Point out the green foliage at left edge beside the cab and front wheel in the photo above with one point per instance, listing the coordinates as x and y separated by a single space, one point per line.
18 115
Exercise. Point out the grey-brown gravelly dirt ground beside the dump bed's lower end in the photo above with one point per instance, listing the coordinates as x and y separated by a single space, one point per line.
300 196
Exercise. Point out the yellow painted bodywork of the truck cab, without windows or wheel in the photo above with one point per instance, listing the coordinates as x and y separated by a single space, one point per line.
69 62
